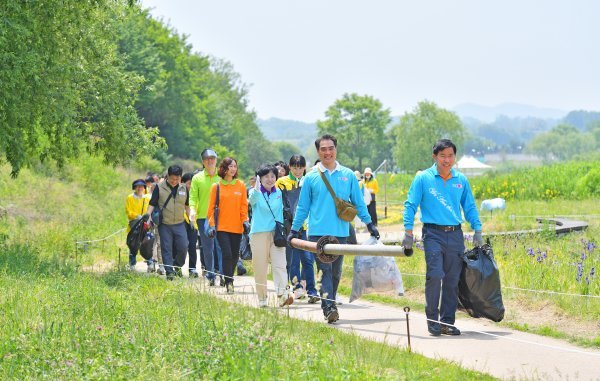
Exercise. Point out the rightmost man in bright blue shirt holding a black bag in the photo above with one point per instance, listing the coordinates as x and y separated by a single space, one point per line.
441 191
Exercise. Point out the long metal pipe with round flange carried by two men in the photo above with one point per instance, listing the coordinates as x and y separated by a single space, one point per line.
327 249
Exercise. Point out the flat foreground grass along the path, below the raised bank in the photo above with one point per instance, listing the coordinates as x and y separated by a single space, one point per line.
63 324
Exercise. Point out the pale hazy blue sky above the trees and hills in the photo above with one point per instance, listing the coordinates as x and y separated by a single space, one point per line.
300 56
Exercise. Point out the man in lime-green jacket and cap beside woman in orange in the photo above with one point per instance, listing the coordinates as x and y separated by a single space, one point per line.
199 196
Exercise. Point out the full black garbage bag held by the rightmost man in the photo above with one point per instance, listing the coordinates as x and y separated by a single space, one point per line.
479 292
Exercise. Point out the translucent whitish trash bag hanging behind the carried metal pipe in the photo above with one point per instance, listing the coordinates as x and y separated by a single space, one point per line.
375 274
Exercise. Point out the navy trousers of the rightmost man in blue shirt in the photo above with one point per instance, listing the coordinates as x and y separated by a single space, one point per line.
443 251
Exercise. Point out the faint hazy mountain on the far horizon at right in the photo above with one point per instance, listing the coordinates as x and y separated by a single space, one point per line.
512 110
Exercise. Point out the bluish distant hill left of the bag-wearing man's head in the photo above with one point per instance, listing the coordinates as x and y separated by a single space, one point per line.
301 134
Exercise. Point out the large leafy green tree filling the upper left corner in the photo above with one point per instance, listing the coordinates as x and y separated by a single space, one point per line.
62 84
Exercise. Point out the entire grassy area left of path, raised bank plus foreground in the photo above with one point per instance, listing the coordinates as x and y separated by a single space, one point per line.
59 322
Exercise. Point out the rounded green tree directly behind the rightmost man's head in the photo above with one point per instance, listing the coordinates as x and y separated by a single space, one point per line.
416 132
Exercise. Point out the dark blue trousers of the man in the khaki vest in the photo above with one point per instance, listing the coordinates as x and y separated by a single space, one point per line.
173 246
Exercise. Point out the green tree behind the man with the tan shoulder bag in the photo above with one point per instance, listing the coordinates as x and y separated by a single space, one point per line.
358 122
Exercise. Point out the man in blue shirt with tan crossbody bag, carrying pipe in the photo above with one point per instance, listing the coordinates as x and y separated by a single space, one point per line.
317 204
